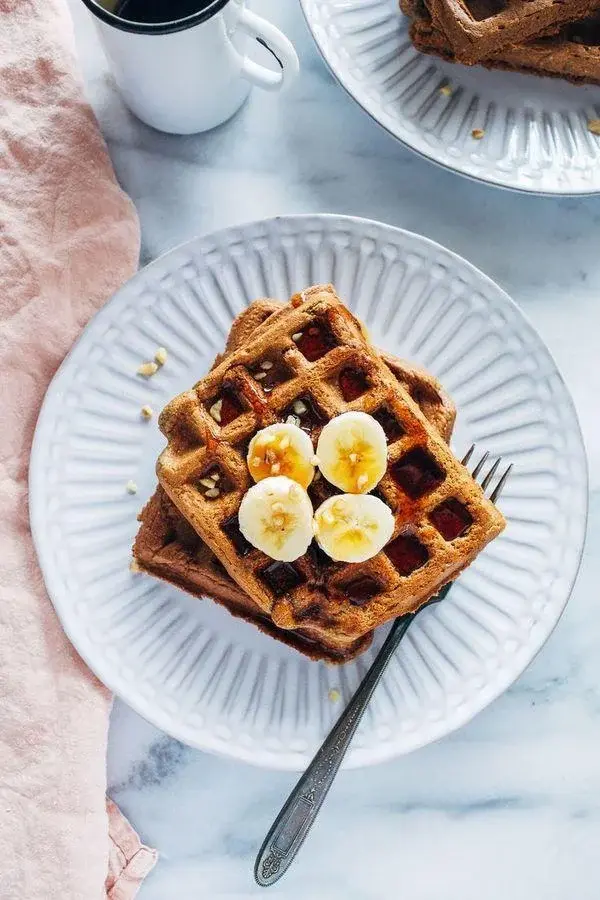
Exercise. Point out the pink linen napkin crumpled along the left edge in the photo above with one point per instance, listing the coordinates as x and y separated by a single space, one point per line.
68 238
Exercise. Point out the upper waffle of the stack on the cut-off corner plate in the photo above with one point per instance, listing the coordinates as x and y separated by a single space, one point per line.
477 29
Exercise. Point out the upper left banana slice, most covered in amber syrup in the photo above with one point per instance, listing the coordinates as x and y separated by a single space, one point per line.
282 449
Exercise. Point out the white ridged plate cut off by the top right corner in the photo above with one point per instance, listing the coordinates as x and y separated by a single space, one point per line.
536 135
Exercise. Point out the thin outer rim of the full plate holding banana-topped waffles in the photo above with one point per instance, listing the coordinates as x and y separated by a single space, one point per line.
162 719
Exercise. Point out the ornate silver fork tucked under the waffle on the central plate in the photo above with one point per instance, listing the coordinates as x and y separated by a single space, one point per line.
300 810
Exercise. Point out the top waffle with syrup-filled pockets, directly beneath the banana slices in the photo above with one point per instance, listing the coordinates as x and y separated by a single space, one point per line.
426 488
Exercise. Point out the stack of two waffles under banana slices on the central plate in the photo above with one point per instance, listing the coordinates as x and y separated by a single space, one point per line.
319 365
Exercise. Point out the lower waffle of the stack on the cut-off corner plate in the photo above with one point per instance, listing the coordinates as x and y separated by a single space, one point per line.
573 53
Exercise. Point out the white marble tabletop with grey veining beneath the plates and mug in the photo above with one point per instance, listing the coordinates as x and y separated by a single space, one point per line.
510 805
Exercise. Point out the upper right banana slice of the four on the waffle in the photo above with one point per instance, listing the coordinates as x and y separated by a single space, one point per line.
352 452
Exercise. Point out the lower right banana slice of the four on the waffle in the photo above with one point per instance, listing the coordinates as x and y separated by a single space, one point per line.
353 527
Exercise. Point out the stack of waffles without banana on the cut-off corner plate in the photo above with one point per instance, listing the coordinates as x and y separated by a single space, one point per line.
553 38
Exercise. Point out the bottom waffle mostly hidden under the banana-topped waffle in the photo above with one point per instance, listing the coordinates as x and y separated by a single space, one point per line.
168 548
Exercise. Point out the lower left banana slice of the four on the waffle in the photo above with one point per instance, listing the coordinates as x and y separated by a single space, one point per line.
276 516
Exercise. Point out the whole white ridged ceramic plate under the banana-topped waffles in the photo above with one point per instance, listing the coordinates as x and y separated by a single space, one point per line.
211 680
